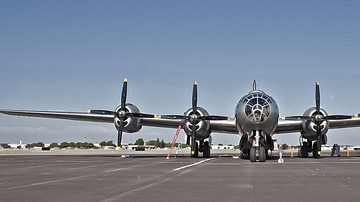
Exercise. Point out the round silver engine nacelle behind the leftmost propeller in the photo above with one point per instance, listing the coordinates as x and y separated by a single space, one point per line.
131 124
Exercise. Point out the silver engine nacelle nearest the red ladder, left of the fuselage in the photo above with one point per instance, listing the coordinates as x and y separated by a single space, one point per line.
202 126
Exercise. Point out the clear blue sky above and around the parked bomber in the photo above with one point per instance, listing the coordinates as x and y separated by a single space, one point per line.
73 55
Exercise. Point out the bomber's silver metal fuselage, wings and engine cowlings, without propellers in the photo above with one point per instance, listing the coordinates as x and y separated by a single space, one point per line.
256 121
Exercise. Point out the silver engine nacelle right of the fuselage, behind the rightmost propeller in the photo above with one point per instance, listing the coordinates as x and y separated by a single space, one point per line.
309 127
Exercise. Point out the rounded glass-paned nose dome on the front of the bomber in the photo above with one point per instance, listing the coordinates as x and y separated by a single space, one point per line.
257 108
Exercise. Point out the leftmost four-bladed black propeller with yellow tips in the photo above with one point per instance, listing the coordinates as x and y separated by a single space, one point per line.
122 113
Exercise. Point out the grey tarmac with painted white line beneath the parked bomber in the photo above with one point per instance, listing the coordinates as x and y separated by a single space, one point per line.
99 175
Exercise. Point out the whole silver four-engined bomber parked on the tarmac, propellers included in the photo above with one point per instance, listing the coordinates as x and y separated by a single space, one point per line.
256 121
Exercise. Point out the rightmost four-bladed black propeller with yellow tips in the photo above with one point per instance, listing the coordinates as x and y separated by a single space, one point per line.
318 118
